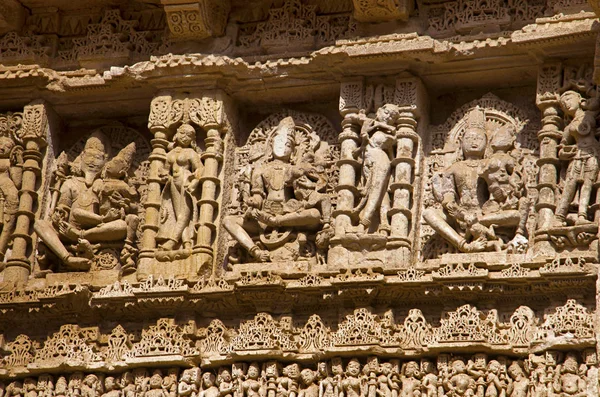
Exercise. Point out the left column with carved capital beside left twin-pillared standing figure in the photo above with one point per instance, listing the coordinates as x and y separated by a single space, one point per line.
158 124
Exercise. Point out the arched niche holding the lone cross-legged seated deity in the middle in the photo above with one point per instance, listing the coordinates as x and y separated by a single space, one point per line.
286 175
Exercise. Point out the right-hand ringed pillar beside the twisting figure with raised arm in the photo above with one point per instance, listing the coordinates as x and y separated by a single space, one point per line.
410 97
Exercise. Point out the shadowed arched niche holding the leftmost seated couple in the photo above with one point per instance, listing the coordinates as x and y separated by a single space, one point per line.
93 220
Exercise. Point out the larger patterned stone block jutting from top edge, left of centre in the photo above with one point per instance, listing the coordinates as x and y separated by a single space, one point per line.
196 19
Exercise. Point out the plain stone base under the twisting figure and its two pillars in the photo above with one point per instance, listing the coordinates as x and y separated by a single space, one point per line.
366 250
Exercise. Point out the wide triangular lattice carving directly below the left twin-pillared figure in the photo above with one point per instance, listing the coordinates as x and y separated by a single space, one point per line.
164 338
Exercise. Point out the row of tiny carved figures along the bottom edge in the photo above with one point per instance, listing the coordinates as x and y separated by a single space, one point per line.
564 374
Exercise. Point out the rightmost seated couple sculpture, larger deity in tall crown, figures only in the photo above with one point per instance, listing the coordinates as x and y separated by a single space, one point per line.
467 220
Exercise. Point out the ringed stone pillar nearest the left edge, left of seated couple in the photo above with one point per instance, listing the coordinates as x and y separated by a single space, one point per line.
34 134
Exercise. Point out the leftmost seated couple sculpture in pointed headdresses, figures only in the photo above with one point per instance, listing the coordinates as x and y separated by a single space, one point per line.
96 206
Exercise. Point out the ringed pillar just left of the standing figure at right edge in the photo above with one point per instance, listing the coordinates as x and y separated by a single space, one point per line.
549 83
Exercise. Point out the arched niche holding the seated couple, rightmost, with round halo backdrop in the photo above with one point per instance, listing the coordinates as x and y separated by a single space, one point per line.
480 181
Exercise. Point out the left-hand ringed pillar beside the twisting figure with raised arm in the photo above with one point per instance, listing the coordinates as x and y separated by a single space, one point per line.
351 98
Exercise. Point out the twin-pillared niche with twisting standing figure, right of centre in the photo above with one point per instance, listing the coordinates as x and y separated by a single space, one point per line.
380 148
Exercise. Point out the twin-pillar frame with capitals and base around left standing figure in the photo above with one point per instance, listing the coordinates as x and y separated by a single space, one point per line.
168 113
